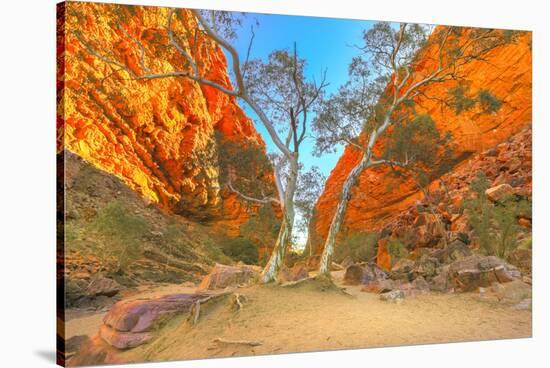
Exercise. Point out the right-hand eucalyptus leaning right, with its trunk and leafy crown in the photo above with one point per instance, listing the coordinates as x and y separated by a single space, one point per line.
384 85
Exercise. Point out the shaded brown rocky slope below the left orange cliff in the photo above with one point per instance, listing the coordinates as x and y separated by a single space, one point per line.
109 230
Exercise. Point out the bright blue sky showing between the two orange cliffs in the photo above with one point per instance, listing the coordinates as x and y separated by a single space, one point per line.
325 43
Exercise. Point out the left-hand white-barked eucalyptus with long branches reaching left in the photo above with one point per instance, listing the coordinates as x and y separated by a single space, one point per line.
277 90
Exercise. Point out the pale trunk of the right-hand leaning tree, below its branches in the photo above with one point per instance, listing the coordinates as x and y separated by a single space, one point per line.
338 218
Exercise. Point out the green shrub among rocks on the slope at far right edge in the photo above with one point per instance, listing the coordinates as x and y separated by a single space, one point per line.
496 225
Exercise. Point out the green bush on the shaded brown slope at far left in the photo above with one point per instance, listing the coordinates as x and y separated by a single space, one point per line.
122 233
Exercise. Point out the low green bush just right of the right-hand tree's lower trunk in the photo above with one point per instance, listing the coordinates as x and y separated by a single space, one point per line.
358 246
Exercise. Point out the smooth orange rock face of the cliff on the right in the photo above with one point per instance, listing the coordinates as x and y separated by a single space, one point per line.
507 74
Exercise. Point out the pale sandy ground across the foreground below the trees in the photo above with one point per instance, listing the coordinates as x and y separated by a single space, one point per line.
305 318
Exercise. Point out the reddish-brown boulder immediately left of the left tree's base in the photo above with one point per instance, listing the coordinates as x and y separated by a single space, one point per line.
223 276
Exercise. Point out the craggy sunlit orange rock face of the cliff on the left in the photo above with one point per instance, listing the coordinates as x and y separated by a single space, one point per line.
158 136
